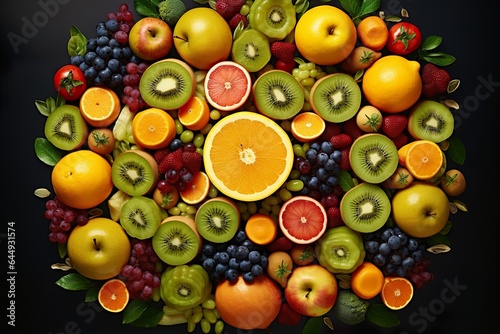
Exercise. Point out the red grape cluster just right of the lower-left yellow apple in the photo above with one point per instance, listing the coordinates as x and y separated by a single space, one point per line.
143 271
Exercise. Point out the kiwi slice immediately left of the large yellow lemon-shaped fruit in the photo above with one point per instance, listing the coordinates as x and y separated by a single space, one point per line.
336 97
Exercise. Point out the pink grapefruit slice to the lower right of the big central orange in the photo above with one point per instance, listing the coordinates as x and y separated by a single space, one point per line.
302 219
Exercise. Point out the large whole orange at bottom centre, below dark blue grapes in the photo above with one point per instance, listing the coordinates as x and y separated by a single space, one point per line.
247 305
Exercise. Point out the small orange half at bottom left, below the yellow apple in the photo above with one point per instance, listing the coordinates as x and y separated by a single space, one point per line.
113 295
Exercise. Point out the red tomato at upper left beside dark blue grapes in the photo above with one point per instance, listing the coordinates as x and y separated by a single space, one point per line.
70 82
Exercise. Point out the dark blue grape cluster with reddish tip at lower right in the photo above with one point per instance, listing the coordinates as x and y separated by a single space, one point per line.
395 253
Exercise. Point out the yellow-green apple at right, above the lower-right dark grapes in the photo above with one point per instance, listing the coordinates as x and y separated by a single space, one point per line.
421 209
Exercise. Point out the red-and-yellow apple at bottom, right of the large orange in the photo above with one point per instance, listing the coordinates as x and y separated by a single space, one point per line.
311 290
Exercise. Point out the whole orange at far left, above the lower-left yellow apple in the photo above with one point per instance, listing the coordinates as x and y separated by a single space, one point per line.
82 179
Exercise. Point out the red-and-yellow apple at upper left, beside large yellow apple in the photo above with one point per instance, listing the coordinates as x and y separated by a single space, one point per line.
150 38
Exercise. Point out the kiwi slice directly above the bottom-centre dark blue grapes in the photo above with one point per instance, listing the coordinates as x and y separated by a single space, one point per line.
217 219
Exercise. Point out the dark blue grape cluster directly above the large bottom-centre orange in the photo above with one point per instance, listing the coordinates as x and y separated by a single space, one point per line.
230 259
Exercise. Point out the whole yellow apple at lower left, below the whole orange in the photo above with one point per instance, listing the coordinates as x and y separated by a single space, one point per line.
99 249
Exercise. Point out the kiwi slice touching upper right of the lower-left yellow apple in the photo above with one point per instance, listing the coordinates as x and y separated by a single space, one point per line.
140 217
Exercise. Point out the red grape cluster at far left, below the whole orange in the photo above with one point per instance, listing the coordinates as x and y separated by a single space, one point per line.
62 219
